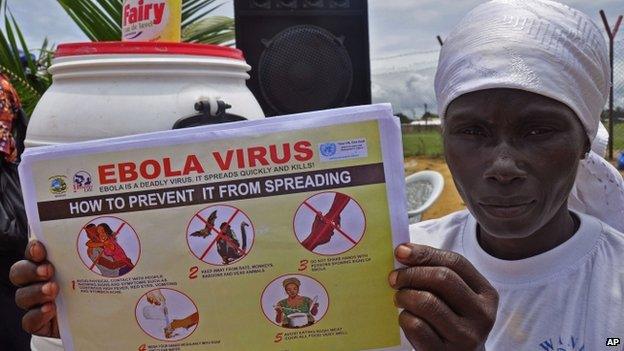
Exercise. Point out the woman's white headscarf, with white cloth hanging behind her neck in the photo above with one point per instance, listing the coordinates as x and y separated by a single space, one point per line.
546 48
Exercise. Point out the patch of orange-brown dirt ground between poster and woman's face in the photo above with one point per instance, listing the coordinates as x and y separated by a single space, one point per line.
449 201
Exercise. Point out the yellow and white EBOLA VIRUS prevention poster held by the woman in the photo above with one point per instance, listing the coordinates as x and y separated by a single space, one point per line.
266 235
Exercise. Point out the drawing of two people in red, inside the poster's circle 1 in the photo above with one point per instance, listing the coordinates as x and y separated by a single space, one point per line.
105 252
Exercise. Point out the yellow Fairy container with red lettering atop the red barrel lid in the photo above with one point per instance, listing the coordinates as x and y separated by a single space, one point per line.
151 20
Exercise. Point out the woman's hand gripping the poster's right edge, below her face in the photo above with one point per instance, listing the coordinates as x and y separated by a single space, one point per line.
448 304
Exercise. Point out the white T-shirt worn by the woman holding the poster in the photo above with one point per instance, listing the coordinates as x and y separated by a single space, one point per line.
570 298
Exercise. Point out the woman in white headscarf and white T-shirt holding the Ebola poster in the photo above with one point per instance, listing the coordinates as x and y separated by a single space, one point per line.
520 87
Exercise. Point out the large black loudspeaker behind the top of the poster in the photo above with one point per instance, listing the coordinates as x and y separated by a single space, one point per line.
305 55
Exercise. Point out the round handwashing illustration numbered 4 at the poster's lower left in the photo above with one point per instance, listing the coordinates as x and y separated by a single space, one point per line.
167 314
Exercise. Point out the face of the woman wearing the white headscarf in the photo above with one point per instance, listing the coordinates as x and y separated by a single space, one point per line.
513 156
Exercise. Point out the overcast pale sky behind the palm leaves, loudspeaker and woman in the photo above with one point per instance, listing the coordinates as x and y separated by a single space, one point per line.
402 32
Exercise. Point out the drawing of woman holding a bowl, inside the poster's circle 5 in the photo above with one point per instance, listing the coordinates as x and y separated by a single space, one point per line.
295 311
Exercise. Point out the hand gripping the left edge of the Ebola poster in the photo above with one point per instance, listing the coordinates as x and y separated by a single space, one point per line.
37 292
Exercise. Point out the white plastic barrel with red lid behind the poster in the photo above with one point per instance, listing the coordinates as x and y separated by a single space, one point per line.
110 89
